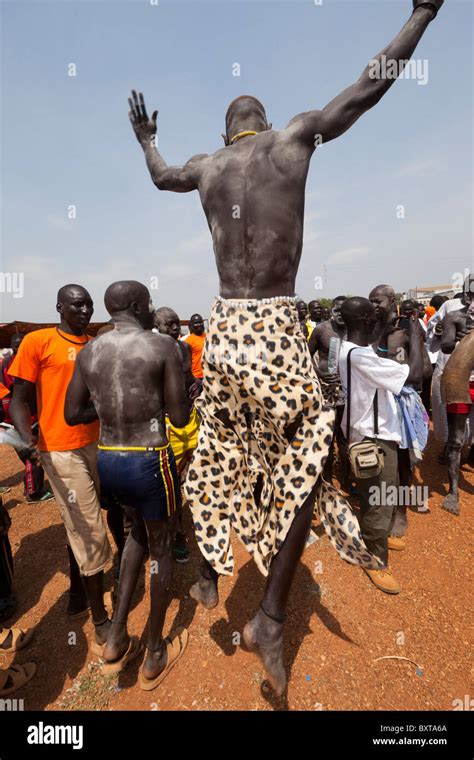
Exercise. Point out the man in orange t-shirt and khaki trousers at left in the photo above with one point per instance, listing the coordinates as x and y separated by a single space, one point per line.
44 365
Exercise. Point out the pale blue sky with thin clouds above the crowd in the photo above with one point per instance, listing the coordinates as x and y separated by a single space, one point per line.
67 141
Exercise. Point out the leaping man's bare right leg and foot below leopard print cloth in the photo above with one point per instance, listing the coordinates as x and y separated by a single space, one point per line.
264 633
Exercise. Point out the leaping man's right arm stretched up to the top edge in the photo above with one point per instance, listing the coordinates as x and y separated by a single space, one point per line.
342 112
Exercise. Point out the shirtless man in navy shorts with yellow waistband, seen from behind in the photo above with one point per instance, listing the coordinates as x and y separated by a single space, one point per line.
131 375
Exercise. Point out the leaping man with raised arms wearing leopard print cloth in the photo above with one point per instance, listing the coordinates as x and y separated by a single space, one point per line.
263 481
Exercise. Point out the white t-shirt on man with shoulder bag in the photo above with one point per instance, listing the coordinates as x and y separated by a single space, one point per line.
370 373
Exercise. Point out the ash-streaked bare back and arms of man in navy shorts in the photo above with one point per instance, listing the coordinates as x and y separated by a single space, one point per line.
131 375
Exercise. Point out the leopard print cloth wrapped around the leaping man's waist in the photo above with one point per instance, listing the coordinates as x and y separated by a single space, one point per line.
259 380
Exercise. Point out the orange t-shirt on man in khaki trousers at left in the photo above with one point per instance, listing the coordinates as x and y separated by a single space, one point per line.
47 359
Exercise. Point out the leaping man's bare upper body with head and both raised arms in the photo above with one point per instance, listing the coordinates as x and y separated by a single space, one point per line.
252 191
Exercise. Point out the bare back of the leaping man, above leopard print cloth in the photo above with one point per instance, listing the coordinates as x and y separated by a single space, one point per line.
253 196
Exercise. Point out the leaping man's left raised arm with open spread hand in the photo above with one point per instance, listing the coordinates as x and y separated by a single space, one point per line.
180 179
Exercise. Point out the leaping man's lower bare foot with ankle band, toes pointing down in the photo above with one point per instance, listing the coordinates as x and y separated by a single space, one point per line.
264 636
